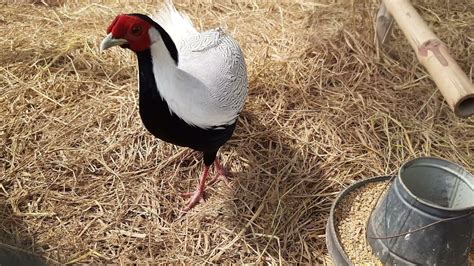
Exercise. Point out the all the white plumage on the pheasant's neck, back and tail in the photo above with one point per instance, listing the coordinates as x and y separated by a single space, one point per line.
209 87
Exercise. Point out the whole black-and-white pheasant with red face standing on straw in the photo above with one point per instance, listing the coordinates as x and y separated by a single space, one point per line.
192 84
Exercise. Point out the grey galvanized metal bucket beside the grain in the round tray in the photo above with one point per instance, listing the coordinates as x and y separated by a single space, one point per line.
426 217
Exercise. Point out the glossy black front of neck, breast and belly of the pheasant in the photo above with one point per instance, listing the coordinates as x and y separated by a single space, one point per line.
168 127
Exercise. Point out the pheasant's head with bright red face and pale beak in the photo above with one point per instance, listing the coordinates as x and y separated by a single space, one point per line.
128 31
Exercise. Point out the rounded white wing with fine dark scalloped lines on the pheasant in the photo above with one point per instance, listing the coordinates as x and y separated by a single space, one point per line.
216 60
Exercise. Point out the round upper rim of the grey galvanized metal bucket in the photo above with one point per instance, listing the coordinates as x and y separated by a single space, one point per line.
422 201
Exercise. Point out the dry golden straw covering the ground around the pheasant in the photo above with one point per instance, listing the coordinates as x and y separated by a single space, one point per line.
82 181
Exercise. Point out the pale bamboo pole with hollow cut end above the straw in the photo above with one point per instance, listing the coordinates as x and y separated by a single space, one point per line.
433 54
